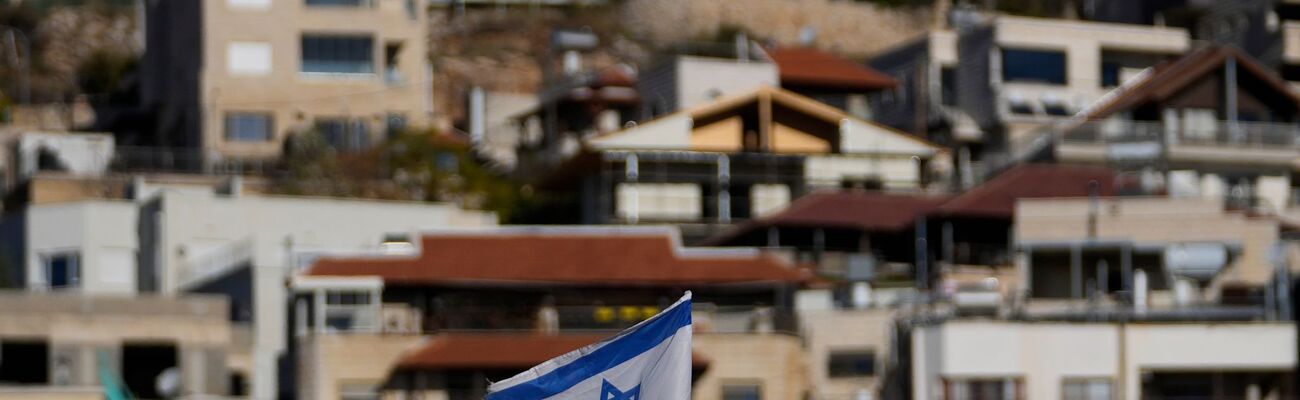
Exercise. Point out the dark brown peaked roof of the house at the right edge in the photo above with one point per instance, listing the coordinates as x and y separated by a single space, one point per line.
1171 79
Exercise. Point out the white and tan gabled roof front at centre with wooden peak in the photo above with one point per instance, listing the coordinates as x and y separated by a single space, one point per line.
673 132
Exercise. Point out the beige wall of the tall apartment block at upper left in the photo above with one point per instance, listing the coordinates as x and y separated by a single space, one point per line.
285 92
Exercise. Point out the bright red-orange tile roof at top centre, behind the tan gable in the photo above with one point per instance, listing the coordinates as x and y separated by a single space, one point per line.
811 67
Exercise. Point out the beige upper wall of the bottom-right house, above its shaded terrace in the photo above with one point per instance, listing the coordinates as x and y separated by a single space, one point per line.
1155 221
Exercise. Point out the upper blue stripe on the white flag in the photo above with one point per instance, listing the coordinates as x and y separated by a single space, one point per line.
621 350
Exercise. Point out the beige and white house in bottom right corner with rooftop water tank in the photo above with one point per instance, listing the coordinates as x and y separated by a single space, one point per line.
1145 298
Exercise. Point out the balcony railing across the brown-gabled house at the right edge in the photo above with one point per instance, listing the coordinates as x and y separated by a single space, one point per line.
1221 133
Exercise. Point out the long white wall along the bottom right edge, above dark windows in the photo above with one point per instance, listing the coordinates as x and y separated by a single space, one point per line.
1046 354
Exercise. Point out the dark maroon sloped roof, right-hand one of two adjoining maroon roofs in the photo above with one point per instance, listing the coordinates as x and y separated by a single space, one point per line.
998 197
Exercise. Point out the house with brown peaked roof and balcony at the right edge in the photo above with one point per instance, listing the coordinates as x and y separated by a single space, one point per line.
1214 124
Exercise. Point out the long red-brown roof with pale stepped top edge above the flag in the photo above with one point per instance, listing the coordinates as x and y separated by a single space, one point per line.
595 258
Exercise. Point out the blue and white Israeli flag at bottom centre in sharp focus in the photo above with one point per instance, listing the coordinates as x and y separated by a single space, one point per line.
648 362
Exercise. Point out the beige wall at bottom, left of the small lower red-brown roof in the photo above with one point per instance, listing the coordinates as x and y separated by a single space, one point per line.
330 362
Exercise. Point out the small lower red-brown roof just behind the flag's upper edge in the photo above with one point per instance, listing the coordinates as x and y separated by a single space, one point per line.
499 351
